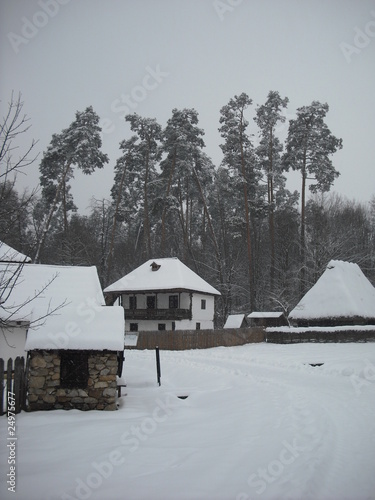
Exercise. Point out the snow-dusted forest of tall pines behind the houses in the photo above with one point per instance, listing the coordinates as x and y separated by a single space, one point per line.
236 224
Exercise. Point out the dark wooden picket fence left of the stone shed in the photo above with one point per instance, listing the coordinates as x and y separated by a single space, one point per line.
13 384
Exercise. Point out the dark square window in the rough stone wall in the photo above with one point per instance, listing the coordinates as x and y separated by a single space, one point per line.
74 370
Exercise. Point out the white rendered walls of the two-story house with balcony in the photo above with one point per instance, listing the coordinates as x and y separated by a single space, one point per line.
203 316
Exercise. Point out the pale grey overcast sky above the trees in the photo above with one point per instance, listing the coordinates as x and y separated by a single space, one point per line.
150 56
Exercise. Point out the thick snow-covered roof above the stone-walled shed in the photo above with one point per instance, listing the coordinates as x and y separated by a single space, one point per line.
64 306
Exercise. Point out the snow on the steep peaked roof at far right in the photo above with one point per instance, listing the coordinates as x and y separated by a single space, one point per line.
342 291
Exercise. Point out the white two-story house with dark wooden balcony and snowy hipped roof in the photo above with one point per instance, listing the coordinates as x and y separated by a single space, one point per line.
164 294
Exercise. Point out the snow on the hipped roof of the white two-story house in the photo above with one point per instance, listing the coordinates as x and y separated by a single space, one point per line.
161 274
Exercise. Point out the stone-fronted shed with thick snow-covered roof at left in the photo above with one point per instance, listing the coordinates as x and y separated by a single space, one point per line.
73 341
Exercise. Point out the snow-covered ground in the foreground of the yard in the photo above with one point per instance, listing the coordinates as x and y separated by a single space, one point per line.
259 422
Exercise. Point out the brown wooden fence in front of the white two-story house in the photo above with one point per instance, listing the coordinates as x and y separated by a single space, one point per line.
198 339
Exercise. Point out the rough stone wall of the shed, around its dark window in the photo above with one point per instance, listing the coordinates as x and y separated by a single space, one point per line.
45 393
